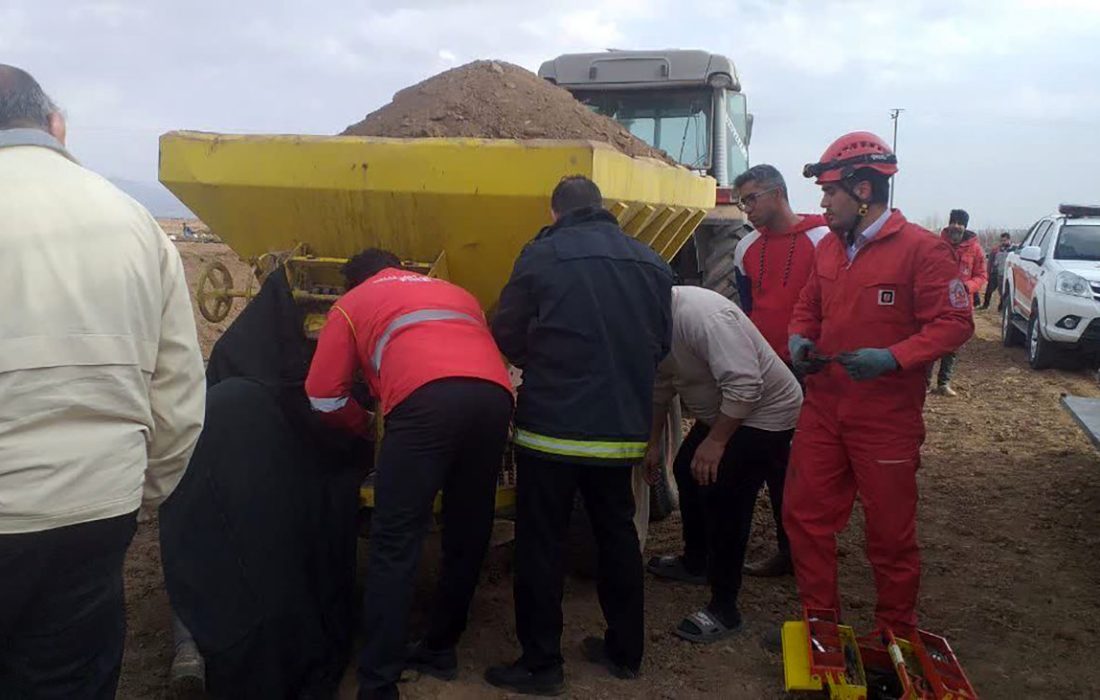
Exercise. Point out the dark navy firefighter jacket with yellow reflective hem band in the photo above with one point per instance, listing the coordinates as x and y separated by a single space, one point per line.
587 315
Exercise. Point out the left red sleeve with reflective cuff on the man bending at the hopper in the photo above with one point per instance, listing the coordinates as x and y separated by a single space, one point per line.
333 374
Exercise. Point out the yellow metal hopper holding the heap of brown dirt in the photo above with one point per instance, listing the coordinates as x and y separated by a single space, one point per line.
477 201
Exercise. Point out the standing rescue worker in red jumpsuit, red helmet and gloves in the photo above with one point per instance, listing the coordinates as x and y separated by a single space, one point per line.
883 302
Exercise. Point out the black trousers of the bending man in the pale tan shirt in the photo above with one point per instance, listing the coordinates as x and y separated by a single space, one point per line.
718 519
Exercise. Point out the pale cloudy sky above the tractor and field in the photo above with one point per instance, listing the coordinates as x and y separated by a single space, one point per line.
1003 100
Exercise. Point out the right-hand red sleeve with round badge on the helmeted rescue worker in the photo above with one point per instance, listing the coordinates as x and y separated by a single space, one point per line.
942 305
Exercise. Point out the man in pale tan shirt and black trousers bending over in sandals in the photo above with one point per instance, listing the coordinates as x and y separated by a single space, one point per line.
746 403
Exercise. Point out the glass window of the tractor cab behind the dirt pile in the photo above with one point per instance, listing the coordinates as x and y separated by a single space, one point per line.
676 122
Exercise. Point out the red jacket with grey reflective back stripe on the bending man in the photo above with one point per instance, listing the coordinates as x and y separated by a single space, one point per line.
403 331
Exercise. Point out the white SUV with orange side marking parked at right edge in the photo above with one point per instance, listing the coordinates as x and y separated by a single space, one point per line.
1052 288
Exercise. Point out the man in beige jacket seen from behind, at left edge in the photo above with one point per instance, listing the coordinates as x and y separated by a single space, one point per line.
102 400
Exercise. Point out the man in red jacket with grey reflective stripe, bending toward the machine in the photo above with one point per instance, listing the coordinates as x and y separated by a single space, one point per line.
427 356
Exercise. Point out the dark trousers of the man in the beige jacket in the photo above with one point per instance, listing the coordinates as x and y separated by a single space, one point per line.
62 616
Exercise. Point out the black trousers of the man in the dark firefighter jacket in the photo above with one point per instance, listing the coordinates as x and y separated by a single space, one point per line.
546 491
